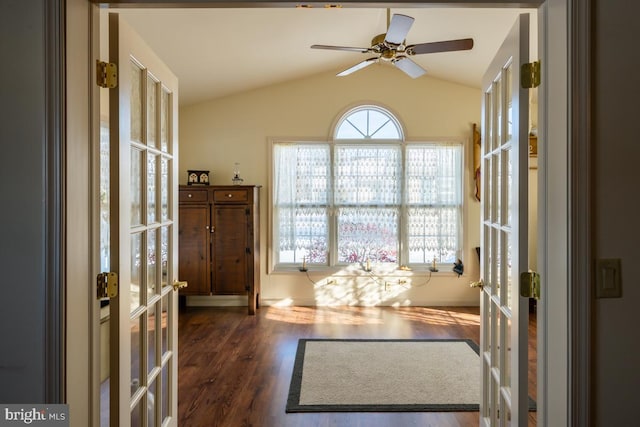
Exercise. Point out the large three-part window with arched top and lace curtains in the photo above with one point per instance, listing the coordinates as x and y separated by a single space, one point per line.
366 197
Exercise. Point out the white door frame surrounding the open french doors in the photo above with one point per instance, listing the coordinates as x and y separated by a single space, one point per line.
564 104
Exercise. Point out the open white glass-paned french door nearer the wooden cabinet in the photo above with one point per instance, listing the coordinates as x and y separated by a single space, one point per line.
144 233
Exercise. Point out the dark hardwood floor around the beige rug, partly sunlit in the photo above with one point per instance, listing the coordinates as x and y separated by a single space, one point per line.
234 369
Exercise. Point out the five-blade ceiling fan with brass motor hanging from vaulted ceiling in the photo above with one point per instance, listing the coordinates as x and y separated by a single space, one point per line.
391 47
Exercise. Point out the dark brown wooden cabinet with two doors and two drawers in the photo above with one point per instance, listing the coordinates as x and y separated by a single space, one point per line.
219 248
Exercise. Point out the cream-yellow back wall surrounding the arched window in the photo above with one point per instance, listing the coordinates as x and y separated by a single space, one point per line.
216 134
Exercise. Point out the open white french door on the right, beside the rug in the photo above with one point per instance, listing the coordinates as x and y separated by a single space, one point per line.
504 313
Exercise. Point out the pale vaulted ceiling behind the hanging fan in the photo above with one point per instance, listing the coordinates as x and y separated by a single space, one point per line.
218 52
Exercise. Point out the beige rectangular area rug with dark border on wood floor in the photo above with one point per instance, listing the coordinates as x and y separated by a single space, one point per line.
385 376
